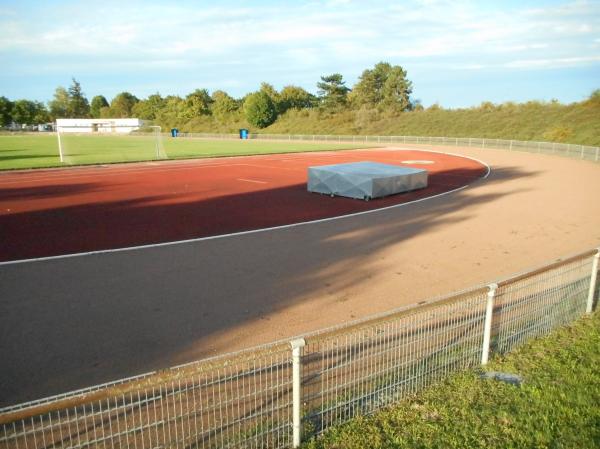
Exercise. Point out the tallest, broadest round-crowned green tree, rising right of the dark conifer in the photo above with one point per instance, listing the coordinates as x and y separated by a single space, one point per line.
384 86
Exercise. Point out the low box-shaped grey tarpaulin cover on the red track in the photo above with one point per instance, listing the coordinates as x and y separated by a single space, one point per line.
365 180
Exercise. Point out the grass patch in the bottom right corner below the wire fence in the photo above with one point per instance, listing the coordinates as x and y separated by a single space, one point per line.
558 405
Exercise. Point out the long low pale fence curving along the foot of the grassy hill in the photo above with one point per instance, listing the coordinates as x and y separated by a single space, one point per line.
586 152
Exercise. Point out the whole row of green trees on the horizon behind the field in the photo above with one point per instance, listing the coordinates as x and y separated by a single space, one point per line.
384 87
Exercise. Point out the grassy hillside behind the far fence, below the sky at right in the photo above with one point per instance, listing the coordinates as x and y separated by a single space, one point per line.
577 123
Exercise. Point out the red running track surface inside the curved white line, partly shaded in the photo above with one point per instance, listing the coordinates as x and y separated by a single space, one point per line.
64 211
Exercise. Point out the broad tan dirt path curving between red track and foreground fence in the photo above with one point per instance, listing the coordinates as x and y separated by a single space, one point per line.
75 322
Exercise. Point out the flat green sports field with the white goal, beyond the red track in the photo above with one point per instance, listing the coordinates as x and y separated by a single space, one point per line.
33 151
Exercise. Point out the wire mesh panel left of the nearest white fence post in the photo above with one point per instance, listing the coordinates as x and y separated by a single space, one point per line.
242 401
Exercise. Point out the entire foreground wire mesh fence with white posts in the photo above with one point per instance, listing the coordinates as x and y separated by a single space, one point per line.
278 394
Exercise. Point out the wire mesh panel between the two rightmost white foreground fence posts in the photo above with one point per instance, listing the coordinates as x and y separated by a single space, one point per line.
534 304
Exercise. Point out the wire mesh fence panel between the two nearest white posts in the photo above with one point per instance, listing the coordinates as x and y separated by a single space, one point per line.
359 370
